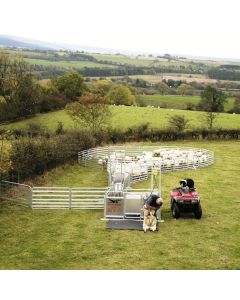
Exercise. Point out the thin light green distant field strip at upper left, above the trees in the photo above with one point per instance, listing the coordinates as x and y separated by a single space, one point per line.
67 64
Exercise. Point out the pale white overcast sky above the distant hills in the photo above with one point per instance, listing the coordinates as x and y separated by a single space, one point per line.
195 27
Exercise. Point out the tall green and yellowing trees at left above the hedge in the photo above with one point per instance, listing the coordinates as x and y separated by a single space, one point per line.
21 96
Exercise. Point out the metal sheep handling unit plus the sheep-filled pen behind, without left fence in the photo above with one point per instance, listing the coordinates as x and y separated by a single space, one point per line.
123 204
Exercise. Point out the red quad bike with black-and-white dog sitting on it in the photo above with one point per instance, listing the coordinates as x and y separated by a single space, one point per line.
185 199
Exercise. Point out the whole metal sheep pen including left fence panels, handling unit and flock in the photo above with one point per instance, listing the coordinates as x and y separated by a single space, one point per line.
125 165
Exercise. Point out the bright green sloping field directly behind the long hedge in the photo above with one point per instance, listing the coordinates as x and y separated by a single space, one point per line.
125 117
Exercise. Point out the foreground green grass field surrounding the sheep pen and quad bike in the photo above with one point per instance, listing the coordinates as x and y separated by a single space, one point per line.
65 239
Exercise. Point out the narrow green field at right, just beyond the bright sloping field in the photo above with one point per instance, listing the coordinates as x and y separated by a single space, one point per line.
178 102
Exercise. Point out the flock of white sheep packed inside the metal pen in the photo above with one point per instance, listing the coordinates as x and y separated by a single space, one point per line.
164 159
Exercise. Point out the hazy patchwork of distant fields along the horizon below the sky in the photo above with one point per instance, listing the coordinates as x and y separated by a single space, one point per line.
120 63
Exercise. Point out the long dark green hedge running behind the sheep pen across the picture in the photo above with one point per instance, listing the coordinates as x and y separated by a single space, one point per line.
36 151
